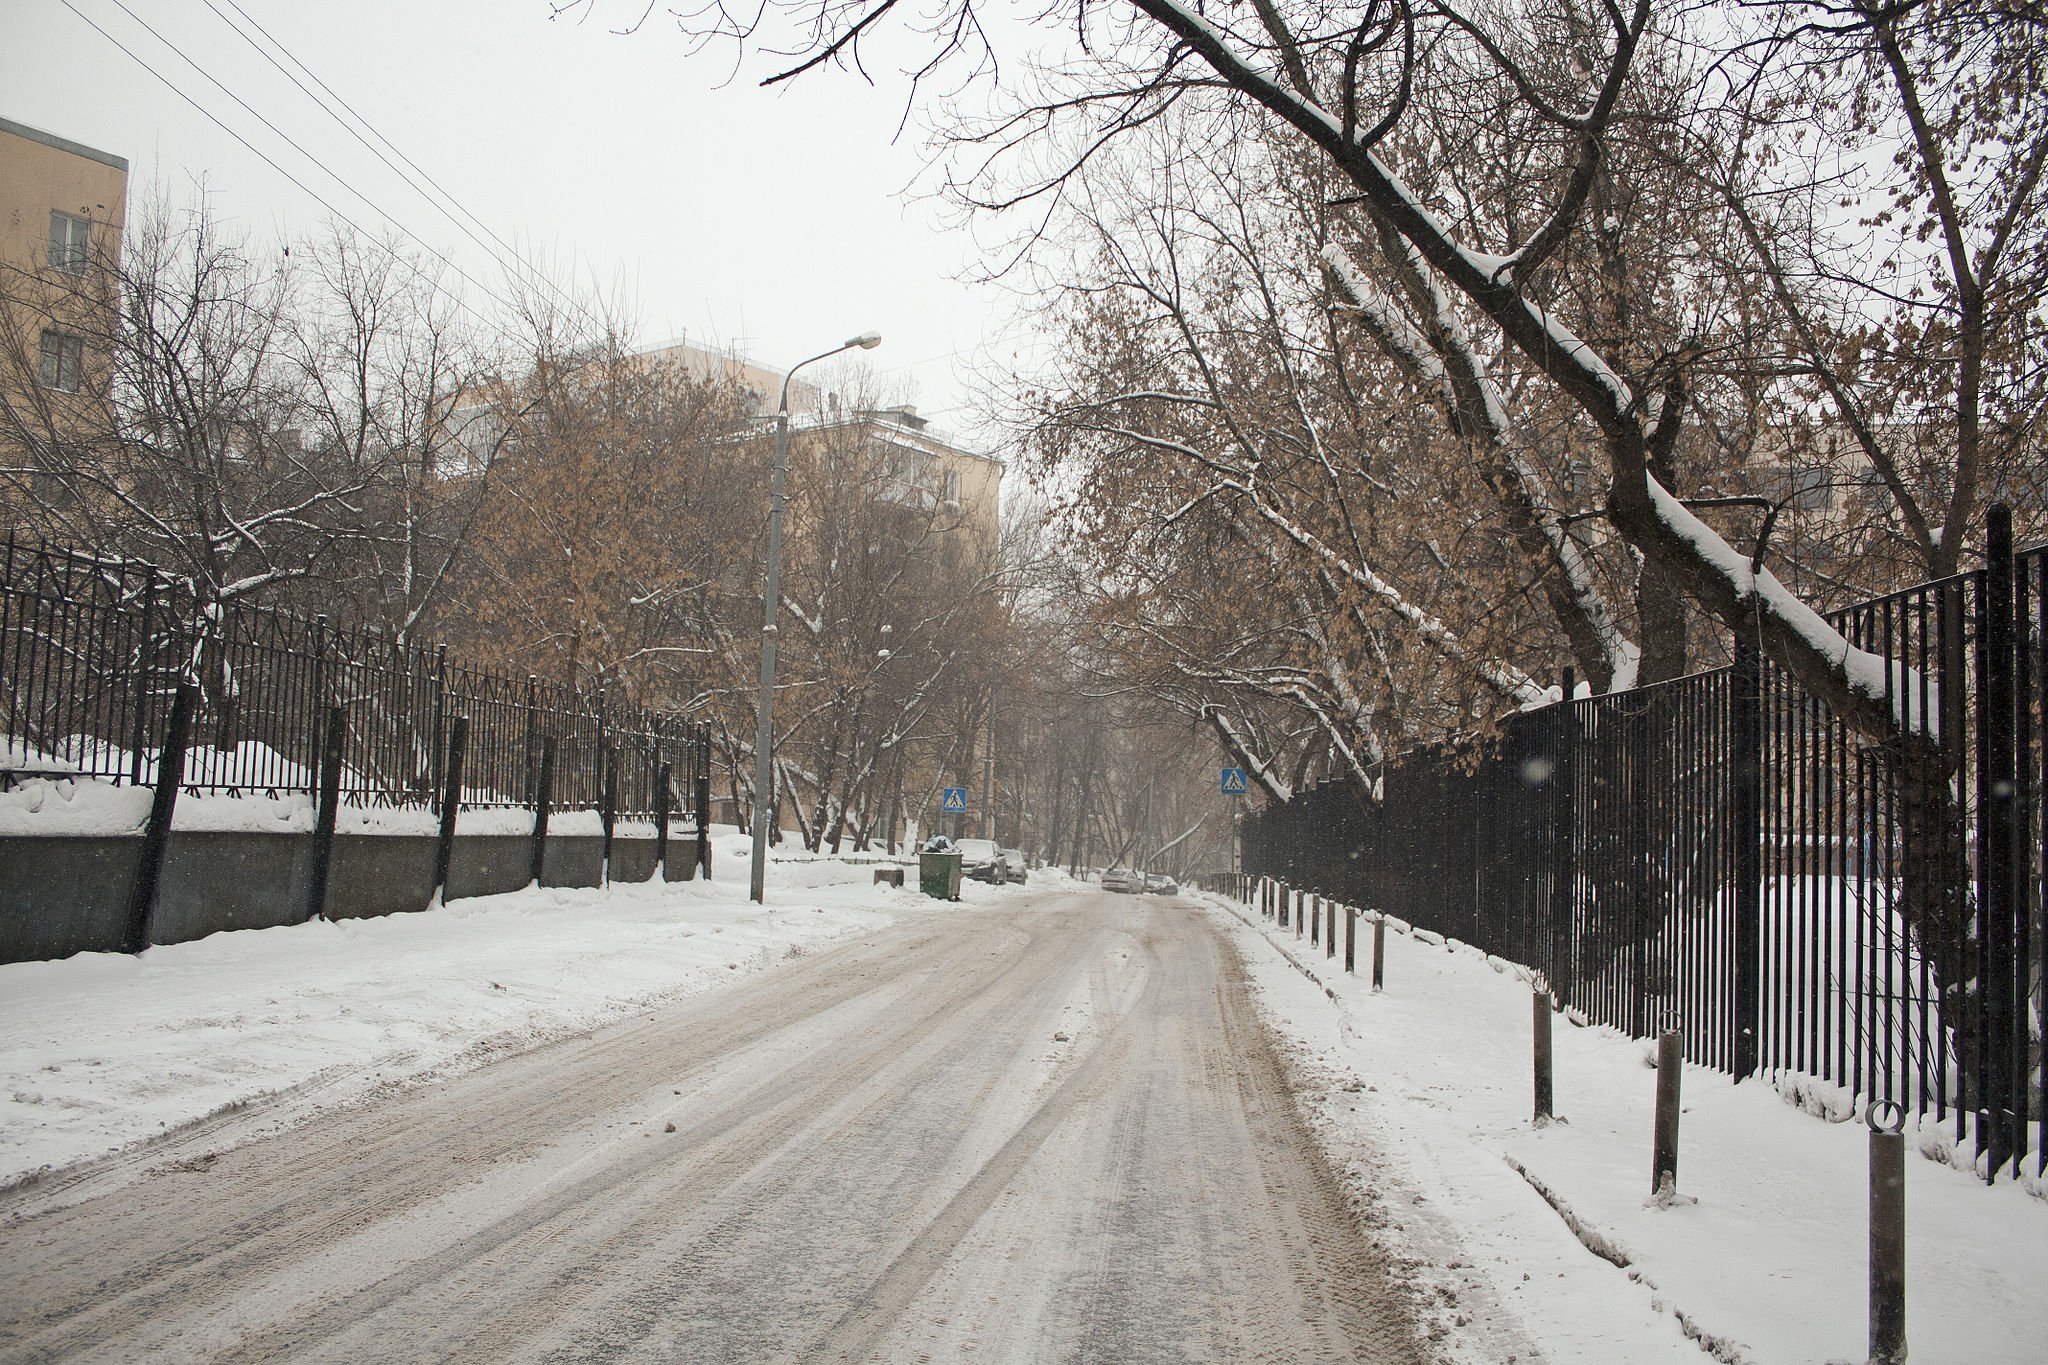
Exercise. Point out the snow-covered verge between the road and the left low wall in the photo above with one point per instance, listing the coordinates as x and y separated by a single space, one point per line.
103 1051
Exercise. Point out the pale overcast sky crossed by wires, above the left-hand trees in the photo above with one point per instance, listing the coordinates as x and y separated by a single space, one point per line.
773 222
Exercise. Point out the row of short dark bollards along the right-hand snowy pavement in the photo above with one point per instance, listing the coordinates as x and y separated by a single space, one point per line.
1291 908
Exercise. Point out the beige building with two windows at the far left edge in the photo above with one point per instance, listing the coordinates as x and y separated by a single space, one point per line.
62 208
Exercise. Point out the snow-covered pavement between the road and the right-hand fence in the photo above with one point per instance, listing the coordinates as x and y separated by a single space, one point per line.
1766 1258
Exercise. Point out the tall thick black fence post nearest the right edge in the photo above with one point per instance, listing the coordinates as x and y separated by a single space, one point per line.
1998 887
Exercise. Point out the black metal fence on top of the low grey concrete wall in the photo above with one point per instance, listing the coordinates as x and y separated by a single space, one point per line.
93 654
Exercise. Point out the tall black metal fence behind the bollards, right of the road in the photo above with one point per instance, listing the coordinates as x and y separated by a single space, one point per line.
1723 856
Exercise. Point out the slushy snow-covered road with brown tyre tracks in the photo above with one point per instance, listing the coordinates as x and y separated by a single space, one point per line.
1052 1129
